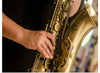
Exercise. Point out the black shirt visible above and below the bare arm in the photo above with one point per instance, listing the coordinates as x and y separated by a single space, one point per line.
30 14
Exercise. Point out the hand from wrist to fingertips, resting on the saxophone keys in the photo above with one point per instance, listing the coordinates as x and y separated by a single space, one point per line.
39 40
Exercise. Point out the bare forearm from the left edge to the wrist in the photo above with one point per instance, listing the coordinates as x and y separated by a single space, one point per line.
11 29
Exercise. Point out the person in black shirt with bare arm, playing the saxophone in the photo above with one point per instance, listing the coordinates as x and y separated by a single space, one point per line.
23 23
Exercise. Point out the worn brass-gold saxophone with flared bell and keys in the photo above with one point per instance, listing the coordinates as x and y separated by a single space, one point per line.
68 36
